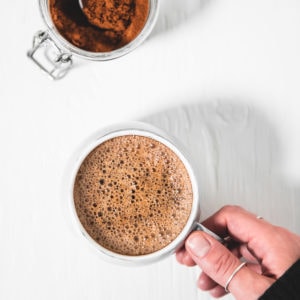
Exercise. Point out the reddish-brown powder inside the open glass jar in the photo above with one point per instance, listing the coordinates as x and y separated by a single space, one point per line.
100 25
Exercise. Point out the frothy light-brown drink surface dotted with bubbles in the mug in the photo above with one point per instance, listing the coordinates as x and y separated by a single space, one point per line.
133 195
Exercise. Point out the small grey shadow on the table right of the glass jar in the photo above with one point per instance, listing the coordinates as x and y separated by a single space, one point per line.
175 12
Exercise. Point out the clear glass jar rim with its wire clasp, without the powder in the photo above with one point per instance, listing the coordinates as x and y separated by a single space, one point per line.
53 53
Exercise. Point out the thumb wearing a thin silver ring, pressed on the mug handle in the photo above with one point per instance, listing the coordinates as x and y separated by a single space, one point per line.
219 264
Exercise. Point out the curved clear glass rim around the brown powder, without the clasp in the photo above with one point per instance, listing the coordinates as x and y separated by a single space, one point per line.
100 56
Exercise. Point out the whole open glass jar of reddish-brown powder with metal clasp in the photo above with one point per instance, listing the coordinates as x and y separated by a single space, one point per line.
91 29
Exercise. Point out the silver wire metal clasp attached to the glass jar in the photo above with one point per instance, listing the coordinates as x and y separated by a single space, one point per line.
49 57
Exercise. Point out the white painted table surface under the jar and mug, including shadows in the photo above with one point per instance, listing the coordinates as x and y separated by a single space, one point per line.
221 75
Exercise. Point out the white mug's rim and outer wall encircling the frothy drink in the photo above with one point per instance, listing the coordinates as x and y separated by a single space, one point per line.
146 130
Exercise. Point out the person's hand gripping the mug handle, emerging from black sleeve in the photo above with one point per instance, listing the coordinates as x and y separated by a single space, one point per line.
269 251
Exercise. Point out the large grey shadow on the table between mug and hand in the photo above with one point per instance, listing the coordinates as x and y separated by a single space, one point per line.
238 157
